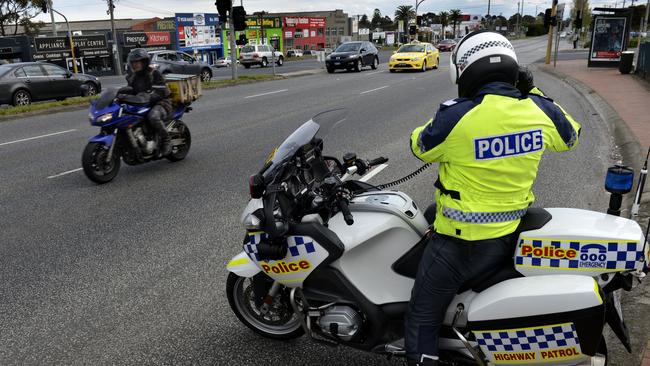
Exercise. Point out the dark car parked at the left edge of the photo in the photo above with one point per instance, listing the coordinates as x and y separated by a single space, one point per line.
25 82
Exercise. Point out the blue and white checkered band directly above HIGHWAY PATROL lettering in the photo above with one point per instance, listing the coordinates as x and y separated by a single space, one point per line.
529 339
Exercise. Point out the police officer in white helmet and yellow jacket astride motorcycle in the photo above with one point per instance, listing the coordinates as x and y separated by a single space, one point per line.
489 143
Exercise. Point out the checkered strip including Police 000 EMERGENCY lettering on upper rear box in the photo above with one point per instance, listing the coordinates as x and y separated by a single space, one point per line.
578 255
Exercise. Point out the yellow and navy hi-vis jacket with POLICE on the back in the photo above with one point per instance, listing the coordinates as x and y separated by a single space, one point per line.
489 148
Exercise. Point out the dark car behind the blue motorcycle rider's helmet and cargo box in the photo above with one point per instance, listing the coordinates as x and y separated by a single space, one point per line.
176 62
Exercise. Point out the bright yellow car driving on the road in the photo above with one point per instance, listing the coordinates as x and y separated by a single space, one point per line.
415 56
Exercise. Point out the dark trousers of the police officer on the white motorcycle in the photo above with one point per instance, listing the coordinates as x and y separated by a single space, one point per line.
446 265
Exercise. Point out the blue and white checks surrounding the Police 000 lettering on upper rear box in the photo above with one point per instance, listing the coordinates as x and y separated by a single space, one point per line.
617 256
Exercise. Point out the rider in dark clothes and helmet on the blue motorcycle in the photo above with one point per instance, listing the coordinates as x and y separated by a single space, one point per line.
149 83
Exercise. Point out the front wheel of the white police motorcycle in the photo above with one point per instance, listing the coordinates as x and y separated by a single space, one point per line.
280 322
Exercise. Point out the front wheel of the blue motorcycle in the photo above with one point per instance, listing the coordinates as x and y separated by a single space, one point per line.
95 165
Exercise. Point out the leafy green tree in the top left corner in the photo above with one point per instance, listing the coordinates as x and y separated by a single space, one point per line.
15 14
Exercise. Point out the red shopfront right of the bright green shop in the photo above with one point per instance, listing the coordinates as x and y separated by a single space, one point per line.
304 33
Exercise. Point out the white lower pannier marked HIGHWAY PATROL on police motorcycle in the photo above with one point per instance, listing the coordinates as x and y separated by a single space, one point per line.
550 320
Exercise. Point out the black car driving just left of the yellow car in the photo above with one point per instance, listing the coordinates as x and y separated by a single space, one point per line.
353 56
